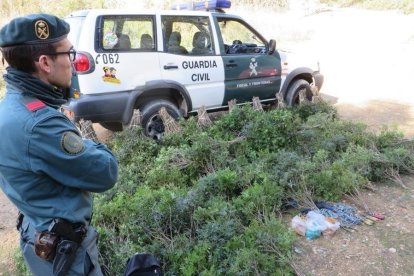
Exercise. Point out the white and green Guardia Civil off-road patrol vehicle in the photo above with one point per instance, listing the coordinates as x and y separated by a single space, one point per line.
177 59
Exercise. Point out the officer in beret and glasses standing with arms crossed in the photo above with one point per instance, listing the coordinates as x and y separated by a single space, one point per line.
46 169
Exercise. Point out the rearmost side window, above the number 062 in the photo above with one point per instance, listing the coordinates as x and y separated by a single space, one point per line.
127 33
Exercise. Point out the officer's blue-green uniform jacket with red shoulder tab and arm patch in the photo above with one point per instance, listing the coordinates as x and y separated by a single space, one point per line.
46 169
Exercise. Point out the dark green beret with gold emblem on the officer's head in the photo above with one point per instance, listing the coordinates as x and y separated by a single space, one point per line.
33 29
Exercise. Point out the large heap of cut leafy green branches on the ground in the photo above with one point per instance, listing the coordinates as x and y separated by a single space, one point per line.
207 200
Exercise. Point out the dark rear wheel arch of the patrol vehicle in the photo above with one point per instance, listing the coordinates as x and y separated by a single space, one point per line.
169 90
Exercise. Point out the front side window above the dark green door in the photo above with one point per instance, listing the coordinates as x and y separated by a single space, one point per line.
238 38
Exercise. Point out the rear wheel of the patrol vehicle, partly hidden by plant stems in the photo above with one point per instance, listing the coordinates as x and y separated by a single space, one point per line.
151 120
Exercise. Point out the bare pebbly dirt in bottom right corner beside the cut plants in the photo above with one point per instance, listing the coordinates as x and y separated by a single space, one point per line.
384 248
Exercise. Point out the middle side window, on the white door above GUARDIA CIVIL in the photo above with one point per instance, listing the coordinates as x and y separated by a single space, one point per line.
187 35
